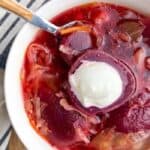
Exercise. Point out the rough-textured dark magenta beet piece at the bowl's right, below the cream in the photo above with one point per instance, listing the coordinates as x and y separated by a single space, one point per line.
133 116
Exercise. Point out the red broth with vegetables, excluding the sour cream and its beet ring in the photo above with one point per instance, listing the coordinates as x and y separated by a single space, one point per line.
117 31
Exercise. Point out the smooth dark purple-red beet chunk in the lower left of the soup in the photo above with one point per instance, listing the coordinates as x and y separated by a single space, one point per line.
54 114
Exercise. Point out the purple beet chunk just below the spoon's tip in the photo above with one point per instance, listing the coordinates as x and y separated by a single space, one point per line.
74 44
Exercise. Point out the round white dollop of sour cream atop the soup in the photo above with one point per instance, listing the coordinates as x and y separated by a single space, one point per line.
96 84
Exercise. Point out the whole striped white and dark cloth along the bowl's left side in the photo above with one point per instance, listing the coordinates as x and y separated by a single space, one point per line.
10 25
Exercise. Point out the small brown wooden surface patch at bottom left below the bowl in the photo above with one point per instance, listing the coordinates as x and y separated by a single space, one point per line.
15 143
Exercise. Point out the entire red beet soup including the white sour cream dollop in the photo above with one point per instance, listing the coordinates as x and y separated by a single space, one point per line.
74 108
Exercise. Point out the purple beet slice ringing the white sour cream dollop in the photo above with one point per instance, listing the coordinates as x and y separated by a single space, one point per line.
127 76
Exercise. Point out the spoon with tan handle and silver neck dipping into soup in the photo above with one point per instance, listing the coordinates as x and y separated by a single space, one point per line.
34 19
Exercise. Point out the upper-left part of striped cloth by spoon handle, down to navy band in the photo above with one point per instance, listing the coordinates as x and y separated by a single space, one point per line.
10 24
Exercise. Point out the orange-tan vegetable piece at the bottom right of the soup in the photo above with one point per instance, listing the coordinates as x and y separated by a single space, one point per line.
109 139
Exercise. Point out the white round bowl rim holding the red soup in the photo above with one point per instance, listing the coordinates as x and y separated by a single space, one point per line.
13 93
